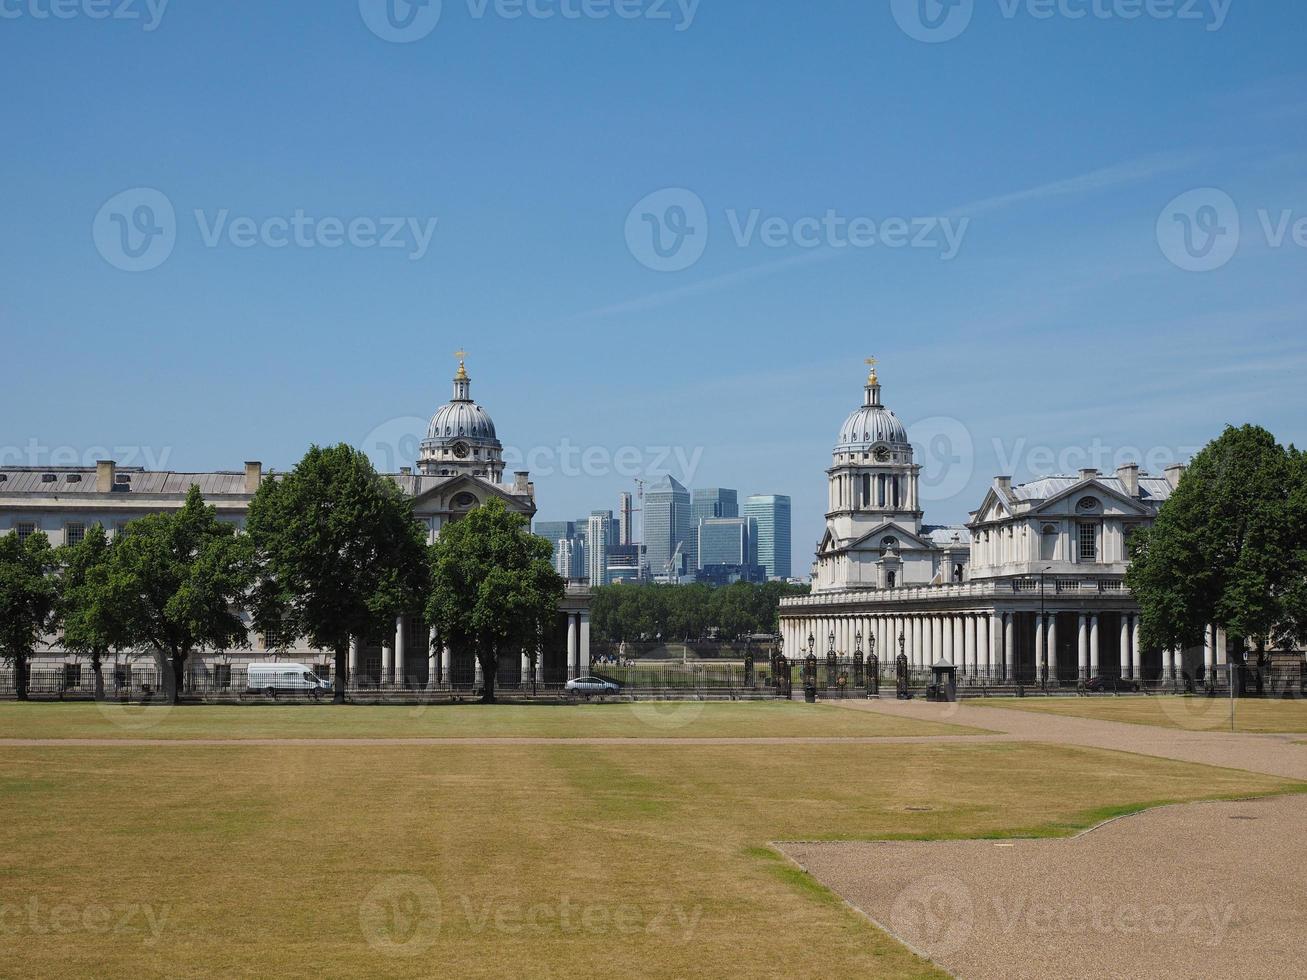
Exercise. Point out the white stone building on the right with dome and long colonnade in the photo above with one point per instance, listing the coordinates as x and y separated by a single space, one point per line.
1032 589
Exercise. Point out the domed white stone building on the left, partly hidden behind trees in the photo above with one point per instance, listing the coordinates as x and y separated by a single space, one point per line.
461 467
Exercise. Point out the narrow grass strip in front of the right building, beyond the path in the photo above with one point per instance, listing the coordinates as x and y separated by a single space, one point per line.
1195 714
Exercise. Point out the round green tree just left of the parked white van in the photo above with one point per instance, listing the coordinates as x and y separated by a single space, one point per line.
178 581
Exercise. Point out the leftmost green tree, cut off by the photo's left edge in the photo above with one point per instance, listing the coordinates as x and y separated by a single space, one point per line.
29 602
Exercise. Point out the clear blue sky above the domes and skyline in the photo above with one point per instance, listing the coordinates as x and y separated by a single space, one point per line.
1050 297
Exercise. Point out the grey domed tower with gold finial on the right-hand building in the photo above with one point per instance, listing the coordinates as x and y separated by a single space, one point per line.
874 478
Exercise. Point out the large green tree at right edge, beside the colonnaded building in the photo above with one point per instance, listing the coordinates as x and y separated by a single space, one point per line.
1227 548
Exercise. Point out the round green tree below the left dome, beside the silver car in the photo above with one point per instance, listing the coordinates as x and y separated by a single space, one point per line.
493 587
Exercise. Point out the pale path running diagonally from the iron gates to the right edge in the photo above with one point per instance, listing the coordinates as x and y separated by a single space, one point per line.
1276 756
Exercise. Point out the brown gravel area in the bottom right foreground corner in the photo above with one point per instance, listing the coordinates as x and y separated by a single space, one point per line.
1211 890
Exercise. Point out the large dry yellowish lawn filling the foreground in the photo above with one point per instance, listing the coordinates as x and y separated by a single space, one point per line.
503 860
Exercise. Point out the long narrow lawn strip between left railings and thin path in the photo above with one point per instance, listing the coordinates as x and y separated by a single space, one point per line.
623 721
